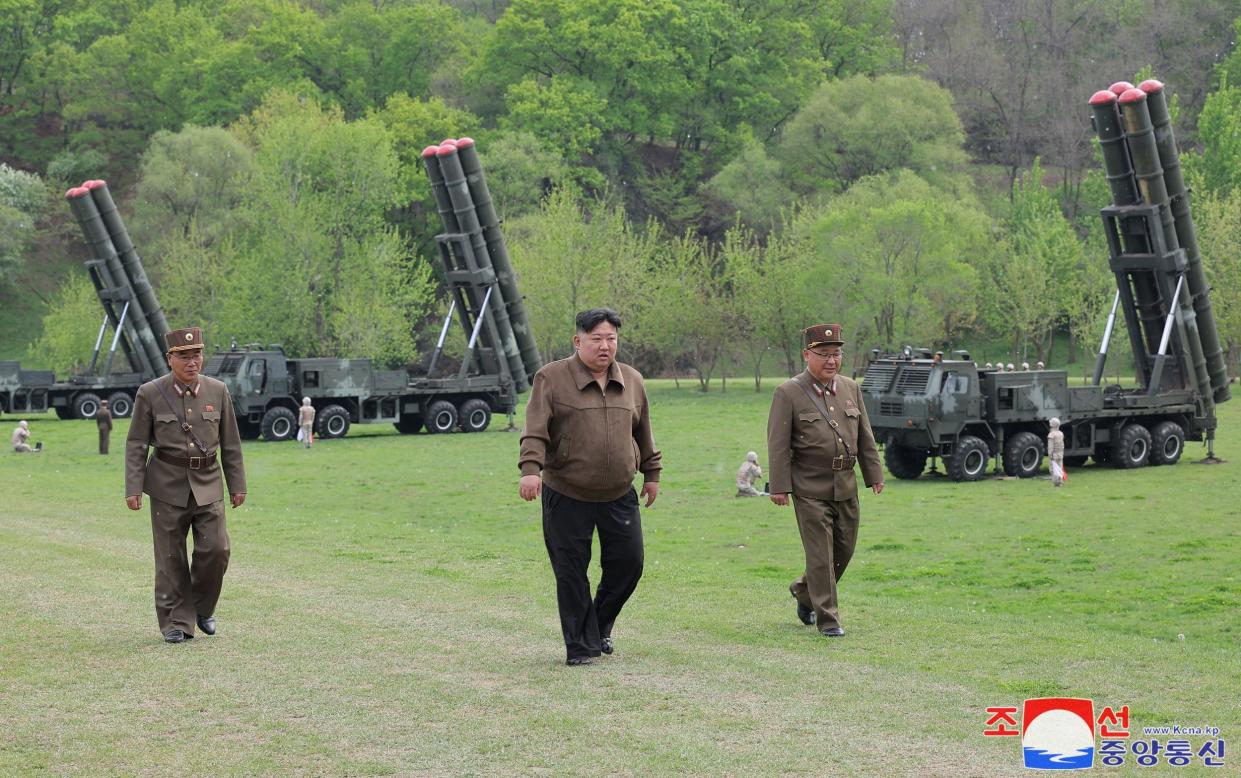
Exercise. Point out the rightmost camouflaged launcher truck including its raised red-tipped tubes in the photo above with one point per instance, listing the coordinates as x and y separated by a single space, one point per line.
921 408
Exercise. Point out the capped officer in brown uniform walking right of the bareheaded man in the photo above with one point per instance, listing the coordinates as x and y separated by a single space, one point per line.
817 434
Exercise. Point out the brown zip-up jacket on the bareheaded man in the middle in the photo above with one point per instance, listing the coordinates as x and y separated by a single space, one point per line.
589 442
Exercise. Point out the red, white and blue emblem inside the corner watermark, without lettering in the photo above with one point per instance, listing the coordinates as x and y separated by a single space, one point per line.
1058 734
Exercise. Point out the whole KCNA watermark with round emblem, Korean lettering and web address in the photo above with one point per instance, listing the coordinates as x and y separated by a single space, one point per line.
1060 734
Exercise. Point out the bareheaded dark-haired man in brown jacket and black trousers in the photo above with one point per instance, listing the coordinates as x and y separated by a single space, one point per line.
588 434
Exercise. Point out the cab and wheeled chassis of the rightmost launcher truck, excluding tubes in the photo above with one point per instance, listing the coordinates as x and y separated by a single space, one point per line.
920 408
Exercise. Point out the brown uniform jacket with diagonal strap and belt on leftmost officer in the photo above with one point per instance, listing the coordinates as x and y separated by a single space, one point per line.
212 419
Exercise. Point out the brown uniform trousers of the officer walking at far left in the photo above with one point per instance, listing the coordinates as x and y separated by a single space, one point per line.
184 590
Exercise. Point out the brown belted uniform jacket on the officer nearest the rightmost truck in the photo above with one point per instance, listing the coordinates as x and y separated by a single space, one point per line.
806 455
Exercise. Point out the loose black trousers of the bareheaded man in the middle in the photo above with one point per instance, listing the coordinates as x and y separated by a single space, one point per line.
569 527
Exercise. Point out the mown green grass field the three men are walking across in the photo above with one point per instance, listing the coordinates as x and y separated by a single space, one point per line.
390 610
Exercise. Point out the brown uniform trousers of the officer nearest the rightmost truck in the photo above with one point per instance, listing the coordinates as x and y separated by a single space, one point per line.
830 533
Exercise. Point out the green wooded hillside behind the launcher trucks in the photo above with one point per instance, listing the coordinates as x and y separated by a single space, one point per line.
722 172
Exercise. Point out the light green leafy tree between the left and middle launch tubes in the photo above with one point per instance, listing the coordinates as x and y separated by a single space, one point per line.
303 256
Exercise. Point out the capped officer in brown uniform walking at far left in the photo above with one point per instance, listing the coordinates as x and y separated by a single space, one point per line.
189 420
